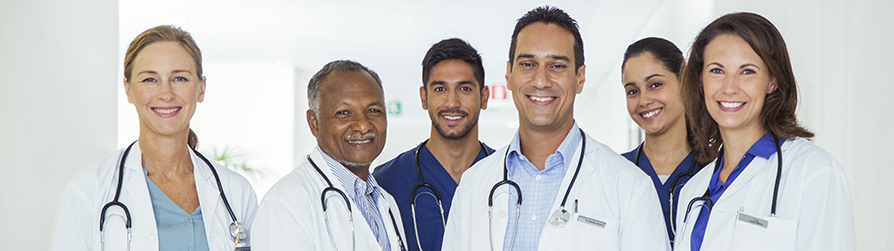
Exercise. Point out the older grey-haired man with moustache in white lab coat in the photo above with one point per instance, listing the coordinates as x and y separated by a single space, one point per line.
330 202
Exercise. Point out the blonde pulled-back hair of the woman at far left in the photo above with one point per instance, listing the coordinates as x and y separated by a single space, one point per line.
164 33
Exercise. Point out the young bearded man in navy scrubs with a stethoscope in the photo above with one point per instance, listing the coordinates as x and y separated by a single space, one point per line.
454 93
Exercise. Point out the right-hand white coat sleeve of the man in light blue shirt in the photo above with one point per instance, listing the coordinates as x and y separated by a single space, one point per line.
642 226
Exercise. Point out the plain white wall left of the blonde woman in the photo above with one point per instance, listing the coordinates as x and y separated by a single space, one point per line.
57 106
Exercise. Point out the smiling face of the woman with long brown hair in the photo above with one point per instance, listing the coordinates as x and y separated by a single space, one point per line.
736 82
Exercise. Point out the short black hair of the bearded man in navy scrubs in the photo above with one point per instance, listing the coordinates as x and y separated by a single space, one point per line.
452 48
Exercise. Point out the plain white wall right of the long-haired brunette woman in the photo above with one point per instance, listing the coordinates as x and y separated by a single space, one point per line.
841 54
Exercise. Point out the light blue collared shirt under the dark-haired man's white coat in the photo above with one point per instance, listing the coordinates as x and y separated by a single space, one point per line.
539 188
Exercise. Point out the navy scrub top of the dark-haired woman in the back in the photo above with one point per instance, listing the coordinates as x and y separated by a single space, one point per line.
664 190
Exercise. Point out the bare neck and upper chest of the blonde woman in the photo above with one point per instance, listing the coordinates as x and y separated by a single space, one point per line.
165 155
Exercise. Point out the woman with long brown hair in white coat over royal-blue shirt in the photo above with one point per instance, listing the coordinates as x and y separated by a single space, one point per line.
741 97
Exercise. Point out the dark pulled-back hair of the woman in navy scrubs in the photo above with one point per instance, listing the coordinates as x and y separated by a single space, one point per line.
660 48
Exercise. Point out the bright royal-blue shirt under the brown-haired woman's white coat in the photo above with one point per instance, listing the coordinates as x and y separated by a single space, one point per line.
763 148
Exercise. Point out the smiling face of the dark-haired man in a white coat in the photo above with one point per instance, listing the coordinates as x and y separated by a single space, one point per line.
543 80
